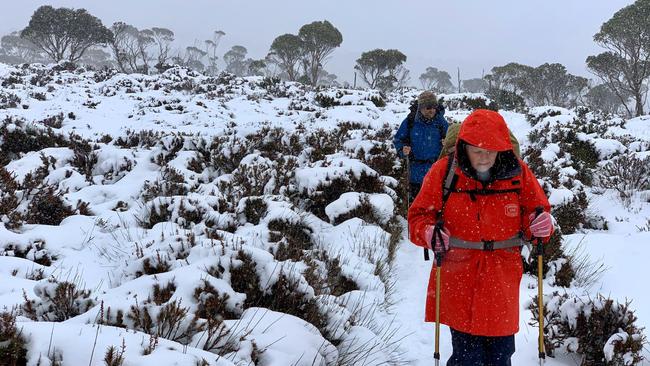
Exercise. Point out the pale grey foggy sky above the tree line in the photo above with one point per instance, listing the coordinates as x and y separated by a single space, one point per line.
474 35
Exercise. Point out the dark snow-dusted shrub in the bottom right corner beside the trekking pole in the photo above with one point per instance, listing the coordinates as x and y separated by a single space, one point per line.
602 330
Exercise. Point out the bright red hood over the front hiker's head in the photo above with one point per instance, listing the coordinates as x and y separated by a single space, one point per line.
485 129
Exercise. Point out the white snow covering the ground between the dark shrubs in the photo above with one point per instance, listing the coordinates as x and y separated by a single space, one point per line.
102 252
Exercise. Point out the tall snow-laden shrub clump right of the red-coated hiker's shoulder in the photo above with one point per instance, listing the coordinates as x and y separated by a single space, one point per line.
564 152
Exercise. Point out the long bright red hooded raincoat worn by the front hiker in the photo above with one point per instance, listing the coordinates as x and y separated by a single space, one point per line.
479 291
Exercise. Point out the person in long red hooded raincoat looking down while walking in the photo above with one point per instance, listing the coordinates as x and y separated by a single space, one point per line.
489 212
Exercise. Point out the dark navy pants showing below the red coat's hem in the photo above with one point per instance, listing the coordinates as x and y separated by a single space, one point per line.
470 350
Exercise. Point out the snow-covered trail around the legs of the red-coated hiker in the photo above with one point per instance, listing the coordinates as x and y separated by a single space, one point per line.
412 276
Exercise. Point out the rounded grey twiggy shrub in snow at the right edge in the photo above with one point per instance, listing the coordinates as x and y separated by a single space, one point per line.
627 174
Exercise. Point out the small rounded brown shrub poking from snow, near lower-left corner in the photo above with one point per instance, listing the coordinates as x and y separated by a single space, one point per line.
57 301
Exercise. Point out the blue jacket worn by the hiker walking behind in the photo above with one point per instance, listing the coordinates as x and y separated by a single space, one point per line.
426 143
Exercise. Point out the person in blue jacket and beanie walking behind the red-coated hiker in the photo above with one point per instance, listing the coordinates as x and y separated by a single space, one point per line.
420 137
